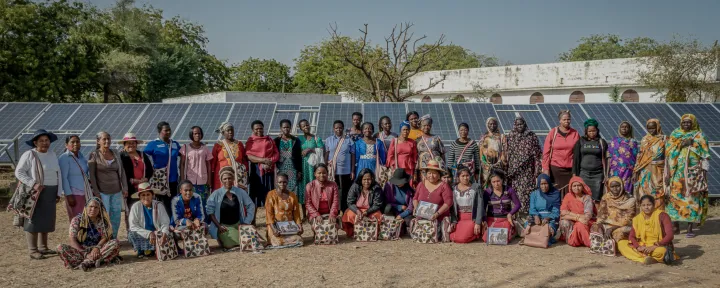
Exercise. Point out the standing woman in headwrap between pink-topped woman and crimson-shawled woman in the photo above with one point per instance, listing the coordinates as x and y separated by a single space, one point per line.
229 152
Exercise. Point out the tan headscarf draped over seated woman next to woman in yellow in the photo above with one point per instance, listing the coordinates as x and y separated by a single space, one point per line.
618 209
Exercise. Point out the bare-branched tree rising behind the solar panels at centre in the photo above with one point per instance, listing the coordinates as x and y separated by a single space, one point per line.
387 68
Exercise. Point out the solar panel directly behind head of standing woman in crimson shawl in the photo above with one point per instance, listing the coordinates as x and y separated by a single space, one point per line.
243 114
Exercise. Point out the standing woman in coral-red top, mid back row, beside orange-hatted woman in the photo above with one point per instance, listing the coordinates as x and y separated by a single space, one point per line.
402 153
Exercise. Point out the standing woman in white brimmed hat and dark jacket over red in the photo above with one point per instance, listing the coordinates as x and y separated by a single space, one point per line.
137 168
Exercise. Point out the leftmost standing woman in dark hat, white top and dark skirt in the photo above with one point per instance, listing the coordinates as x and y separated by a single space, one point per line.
38 168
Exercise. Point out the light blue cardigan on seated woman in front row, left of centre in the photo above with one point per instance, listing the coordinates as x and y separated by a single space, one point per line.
247 207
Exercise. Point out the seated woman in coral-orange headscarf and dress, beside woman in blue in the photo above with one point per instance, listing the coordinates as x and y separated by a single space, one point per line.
576 213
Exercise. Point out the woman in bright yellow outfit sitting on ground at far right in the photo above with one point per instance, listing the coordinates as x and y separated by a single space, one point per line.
648 239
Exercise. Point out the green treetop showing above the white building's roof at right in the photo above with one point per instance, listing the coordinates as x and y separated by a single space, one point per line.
599 47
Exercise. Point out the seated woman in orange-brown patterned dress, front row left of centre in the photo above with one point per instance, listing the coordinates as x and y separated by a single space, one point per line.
282 205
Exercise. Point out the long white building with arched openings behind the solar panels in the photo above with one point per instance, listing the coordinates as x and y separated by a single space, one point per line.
579 82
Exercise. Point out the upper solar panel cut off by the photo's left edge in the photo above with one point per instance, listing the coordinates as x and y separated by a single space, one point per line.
16 116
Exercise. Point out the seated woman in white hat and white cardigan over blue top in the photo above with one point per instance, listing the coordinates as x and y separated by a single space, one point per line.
147 218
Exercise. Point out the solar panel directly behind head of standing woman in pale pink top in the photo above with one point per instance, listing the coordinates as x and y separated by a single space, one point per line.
208 116
